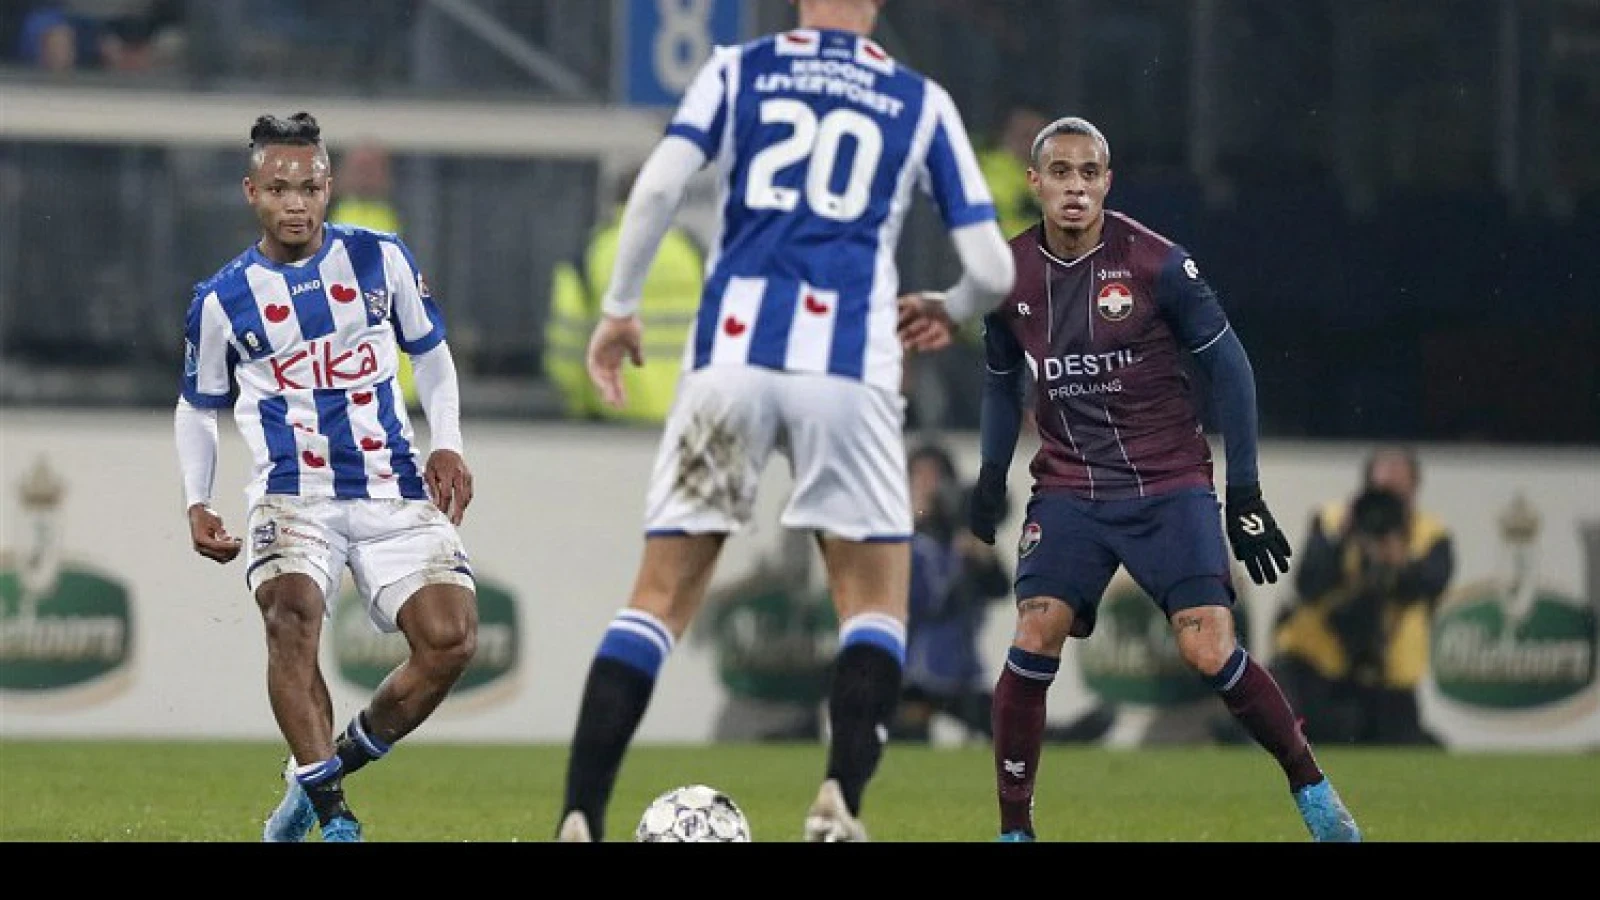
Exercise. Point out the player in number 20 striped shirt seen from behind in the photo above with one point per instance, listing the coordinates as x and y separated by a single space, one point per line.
818 140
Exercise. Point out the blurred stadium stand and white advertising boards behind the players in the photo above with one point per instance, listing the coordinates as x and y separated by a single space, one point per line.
1398 203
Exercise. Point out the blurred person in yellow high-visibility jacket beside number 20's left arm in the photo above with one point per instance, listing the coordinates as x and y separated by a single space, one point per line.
673 292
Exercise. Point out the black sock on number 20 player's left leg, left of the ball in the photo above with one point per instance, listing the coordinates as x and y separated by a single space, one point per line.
615 701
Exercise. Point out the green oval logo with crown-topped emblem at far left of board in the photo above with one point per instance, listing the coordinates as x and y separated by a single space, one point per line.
66 632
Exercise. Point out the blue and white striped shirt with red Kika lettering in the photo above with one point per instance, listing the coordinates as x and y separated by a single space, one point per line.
308 356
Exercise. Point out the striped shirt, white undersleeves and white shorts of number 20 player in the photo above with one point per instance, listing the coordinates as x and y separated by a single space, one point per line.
818 140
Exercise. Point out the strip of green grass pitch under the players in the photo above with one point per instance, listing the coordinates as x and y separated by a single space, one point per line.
175 792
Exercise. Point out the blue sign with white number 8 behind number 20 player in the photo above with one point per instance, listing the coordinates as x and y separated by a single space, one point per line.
665 42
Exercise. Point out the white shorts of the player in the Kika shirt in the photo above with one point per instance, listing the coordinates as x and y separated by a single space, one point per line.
393 548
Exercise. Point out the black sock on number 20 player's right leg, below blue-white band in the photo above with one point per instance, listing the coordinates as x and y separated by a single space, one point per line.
860 704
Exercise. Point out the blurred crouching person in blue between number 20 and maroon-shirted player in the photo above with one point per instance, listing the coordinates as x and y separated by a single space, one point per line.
954 577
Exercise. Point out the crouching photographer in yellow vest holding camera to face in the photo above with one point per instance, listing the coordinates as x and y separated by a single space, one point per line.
1353 649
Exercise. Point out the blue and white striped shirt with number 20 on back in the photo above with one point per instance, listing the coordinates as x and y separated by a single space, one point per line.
818 140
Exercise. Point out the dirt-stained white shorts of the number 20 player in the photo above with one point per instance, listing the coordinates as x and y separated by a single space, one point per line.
844 441
